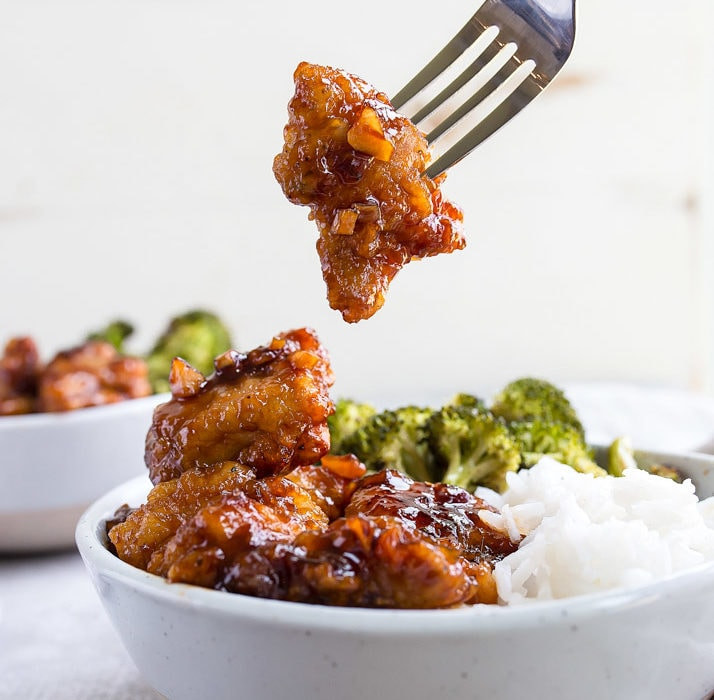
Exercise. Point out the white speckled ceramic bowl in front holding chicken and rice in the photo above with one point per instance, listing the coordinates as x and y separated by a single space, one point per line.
654 642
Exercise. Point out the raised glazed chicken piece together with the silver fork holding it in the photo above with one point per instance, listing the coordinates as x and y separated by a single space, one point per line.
364 169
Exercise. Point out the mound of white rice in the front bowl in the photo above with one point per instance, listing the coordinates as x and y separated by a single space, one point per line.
585 534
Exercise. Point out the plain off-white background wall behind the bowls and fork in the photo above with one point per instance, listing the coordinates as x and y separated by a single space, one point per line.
136 141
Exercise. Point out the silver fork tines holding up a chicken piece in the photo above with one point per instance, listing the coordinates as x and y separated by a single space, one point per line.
516 48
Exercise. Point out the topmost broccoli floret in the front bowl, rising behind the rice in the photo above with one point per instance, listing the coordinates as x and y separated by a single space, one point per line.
529 399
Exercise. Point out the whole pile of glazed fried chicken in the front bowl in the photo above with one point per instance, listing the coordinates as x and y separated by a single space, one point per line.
240 506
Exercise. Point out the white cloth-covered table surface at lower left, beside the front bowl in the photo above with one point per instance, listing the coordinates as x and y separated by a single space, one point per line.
56 643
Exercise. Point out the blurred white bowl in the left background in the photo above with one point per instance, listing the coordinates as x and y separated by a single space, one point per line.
53 465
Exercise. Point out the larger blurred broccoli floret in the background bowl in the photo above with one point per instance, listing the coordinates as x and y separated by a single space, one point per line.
197 336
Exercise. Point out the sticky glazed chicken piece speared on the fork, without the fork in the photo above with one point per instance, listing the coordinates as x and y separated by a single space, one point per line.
359 166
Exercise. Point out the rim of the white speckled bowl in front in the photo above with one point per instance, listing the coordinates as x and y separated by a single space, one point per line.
467 620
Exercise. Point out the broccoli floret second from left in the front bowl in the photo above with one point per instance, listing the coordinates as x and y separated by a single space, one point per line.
394 439
